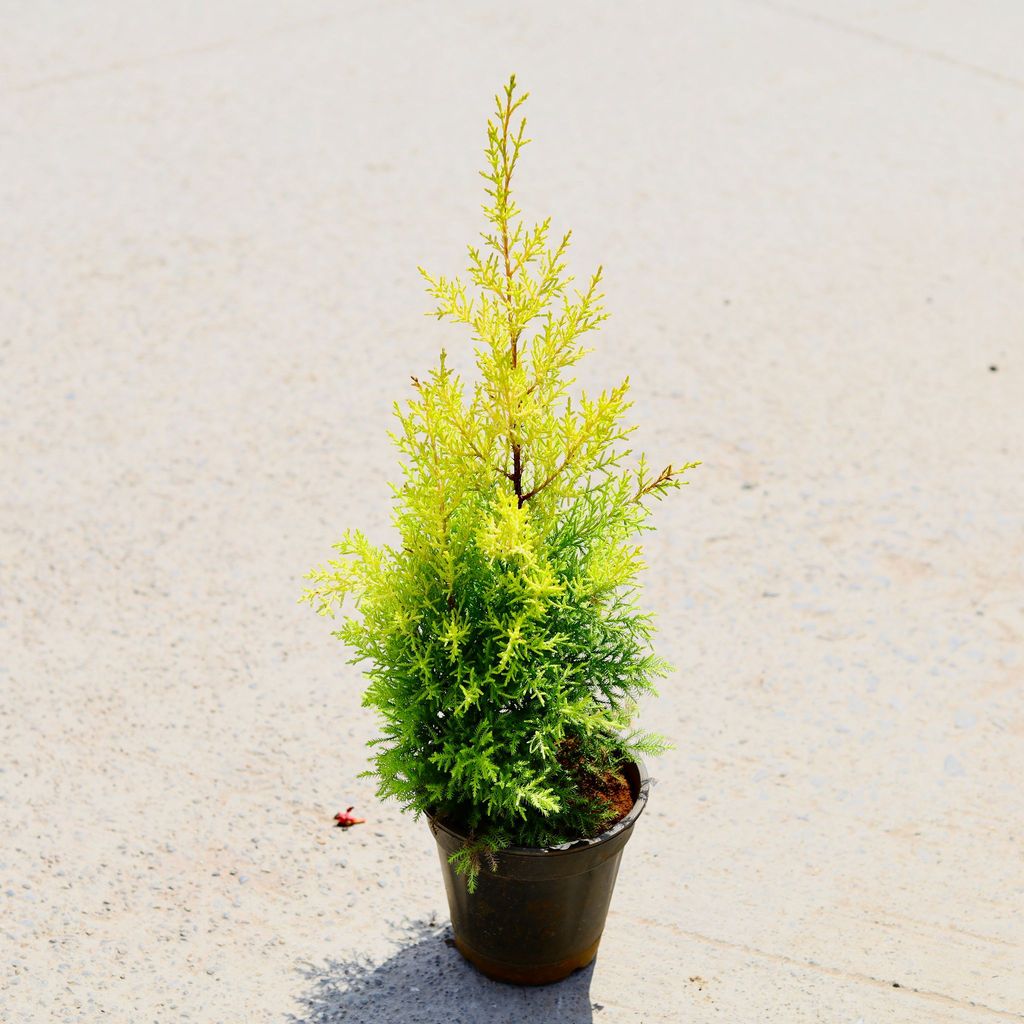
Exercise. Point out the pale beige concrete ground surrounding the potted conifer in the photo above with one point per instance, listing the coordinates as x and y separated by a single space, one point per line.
812 217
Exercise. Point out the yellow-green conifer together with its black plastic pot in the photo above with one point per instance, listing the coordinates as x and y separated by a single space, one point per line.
501 636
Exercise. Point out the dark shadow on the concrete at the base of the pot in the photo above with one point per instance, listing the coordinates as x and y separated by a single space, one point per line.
429 983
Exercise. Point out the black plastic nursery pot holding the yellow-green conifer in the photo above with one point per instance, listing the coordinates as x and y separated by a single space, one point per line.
539 916
